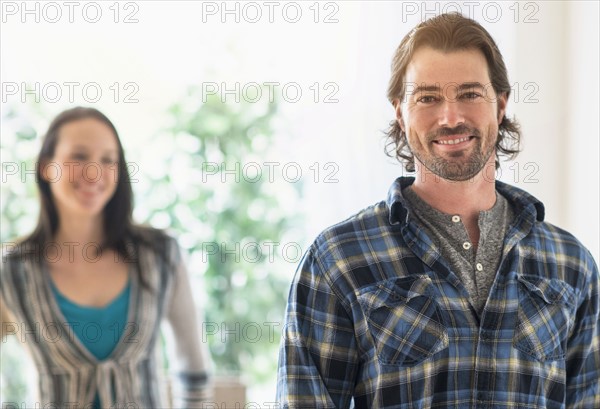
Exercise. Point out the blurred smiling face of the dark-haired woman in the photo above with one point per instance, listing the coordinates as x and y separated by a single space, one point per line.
83 173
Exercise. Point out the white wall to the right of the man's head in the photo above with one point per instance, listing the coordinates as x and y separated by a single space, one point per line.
560 53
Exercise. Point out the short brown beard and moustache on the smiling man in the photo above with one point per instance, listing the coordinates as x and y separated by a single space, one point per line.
464 168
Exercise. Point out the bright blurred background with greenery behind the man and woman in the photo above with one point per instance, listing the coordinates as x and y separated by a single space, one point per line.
251 126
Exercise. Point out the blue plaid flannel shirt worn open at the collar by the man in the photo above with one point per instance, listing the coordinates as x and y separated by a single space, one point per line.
377 319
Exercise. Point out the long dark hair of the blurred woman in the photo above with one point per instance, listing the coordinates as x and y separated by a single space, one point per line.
120 233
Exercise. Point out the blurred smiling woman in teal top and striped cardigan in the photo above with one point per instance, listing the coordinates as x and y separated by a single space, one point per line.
89 288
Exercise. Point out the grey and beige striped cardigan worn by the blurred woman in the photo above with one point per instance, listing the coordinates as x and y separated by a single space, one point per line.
70 376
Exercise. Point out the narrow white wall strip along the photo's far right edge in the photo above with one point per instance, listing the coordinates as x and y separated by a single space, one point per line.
582 135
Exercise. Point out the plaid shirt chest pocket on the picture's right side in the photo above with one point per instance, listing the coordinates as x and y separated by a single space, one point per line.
545 317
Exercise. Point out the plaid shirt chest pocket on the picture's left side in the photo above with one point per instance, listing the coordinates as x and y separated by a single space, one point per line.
403 320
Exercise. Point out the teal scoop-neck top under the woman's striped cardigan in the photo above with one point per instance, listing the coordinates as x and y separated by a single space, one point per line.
98 329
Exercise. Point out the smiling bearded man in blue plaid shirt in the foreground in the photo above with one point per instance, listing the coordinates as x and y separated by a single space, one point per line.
454 292
